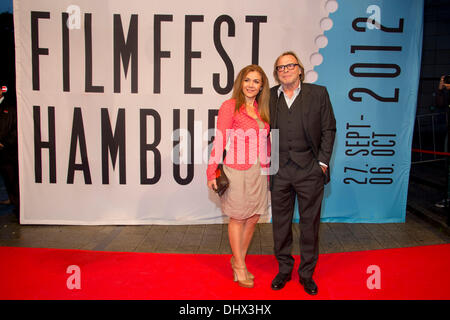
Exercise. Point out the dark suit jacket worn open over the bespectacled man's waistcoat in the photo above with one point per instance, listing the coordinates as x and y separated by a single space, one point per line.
317 118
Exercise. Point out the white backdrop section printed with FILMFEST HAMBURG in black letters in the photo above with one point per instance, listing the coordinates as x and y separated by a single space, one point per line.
55 199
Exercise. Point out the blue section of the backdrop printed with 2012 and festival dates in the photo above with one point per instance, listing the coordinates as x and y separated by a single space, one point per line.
371 68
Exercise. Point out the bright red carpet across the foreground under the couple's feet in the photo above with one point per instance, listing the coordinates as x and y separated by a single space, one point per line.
406 273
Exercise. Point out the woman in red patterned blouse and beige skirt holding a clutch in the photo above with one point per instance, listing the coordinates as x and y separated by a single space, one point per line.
244 120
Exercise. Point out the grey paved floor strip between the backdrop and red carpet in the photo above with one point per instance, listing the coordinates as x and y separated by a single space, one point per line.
213 239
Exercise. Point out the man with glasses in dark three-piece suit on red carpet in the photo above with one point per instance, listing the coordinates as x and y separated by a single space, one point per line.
304 116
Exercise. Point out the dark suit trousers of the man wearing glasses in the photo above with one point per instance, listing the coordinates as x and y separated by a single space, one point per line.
307 184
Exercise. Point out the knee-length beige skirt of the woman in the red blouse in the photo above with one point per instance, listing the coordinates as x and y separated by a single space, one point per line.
247 194
